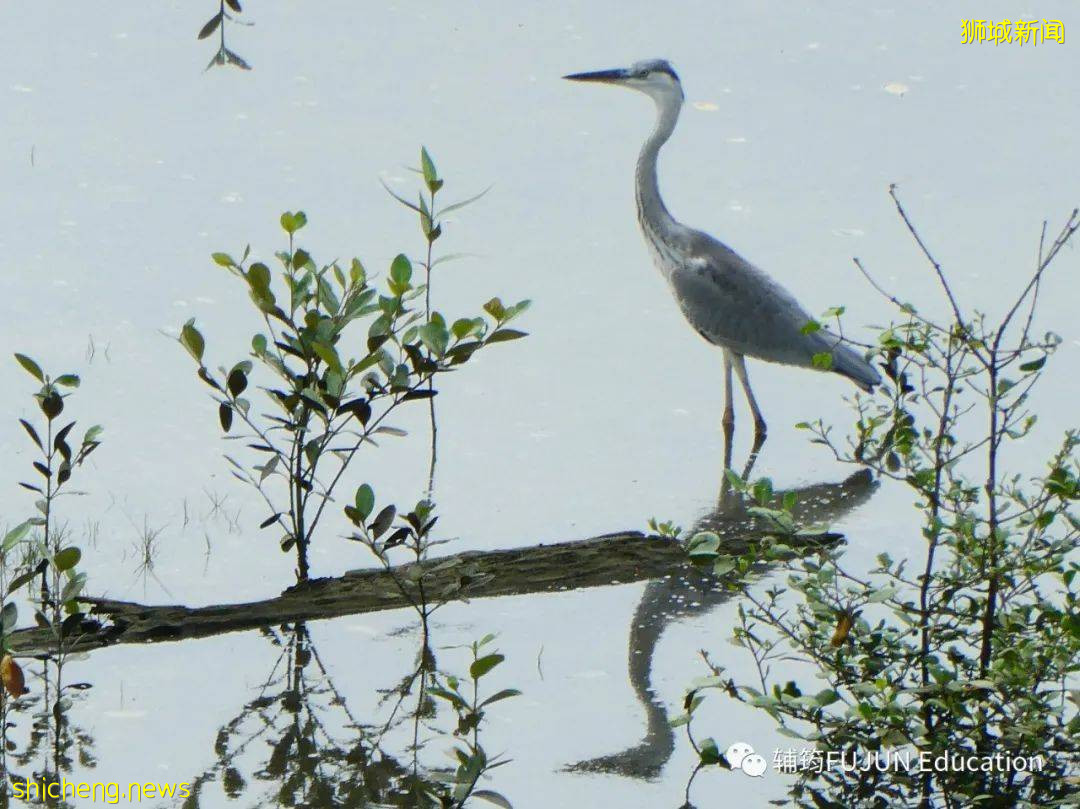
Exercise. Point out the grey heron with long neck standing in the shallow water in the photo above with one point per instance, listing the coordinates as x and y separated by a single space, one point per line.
728 301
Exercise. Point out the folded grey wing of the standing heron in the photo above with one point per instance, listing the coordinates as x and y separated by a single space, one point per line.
735 305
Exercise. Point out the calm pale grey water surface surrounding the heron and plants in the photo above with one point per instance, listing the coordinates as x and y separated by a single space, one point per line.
125 166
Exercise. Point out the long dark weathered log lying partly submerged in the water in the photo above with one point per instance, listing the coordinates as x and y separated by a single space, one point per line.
613 559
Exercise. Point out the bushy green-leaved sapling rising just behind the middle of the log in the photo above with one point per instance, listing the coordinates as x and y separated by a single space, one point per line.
334 389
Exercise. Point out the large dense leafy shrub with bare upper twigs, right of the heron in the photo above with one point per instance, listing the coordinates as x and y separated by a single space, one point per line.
976 653
